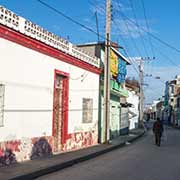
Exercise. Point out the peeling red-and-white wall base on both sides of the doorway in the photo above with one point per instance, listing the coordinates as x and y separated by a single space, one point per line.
30 148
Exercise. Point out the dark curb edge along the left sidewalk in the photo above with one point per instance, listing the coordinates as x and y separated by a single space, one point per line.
72 162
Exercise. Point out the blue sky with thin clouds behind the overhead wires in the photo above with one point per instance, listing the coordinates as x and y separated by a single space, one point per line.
162 17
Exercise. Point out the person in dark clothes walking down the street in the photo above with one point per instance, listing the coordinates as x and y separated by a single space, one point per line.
158 130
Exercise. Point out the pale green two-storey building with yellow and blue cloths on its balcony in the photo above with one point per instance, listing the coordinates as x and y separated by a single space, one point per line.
119 122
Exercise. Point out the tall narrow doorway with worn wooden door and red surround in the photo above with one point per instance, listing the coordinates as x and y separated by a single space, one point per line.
60 110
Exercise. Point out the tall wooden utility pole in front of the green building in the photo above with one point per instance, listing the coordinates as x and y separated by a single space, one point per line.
106 119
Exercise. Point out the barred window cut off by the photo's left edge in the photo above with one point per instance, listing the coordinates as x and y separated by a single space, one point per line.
2 91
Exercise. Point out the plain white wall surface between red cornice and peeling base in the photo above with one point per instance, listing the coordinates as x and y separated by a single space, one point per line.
29 84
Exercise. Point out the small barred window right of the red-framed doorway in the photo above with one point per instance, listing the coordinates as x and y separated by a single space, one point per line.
87 110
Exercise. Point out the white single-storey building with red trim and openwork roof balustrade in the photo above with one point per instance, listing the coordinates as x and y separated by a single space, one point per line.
48 91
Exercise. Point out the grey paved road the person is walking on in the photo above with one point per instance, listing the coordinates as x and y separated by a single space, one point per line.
139 161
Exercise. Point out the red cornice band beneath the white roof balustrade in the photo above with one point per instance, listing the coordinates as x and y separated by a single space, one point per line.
36 45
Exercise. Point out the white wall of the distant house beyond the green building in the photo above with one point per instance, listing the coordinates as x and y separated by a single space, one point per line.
133 99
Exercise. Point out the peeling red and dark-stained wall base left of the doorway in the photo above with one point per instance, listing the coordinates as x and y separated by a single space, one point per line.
24 149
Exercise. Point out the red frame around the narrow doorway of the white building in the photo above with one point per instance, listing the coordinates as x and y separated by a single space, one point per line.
64 133
